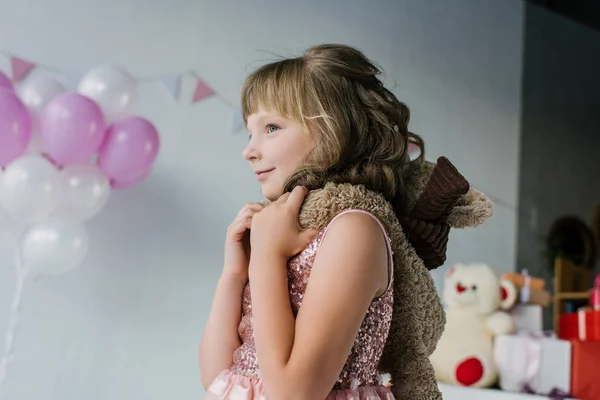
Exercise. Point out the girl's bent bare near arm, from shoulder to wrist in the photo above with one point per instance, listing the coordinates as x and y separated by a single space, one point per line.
302 358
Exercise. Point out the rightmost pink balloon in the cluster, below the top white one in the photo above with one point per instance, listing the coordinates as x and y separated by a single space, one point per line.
130 149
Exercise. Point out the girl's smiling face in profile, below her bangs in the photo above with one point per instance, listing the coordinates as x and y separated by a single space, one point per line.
277 147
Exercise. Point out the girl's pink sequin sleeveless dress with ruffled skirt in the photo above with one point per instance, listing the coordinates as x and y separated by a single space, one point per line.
359 379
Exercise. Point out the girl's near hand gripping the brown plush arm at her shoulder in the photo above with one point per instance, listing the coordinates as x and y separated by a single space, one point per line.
276 231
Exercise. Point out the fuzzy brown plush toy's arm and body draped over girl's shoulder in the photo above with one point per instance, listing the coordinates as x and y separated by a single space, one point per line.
418 319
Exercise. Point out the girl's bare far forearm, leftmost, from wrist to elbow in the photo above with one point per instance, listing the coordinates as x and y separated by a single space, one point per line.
220 337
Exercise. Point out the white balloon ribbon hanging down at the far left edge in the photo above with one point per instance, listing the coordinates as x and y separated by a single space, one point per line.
13 319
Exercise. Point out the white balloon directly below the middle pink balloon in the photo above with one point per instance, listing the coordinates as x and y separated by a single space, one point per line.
86 191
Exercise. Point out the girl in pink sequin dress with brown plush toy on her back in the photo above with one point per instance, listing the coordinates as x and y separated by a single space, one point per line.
328 143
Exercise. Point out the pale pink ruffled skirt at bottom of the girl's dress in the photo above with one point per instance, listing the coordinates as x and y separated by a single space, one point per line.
231 386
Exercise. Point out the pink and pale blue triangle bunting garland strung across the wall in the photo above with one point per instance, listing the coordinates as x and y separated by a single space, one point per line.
21 68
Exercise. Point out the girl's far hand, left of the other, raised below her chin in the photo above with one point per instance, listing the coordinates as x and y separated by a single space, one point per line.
237 242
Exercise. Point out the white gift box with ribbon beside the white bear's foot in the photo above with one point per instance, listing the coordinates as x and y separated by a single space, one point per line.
533 364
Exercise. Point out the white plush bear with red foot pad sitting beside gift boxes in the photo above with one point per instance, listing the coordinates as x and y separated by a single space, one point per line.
473 295
